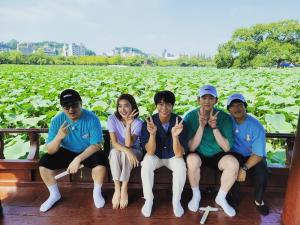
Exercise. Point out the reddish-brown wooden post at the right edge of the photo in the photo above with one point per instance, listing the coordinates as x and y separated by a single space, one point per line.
291 208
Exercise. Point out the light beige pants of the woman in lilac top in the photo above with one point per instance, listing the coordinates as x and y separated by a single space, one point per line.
119 164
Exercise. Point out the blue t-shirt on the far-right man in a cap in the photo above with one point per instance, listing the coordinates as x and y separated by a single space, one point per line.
249 137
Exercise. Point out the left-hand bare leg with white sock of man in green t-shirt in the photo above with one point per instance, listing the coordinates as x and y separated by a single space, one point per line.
194 163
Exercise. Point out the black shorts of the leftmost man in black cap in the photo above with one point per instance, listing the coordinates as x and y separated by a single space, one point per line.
63 157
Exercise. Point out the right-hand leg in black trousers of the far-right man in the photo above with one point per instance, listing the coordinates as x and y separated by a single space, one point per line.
261 178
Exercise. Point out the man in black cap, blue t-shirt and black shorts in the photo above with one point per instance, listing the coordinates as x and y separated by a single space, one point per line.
74 138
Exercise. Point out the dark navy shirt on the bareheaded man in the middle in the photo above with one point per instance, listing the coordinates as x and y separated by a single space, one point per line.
164 140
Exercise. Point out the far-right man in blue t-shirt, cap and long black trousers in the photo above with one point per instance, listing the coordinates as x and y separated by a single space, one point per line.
250 148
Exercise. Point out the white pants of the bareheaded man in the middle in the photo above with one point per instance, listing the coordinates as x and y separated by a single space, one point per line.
176 165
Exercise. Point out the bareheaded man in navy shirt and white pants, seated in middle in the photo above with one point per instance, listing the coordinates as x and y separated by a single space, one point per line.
164 139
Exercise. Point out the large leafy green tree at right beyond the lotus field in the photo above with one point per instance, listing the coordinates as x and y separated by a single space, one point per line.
262 45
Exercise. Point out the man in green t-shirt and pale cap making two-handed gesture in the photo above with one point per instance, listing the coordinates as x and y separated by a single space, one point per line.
210 136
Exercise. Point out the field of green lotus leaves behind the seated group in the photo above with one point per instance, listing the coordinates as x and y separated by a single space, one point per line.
29 94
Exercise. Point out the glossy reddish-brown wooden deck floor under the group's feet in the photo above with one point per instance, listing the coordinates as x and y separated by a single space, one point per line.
21 206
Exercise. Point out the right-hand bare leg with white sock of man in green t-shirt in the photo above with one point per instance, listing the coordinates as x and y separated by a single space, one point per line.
230 167
